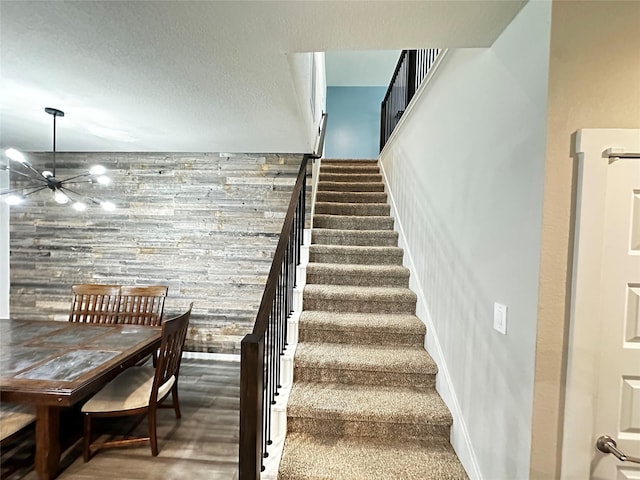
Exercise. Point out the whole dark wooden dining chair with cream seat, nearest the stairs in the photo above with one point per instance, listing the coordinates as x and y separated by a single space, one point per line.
140 390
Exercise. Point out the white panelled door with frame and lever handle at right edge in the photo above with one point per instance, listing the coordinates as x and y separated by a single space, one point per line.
603 368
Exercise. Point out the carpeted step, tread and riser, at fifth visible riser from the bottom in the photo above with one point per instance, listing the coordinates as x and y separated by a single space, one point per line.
358 275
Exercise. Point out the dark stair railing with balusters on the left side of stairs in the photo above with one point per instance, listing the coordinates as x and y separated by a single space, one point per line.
260 351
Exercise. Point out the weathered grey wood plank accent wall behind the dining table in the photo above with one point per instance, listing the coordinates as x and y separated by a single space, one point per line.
205 224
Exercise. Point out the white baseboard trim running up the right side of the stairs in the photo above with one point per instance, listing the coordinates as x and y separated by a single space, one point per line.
460 439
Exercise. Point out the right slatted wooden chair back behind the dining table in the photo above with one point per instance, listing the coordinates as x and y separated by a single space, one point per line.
142 305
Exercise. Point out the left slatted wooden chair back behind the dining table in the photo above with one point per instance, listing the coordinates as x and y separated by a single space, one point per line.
94 303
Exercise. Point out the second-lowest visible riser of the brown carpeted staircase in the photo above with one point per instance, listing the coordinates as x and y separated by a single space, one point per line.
359 377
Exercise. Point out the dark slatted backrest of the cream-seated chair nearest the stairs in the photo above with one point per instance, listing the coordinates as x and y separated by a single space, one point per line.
174 334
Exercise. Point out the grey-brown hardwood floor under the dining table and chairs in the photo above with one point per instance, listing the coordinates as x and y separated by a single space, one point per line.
201 445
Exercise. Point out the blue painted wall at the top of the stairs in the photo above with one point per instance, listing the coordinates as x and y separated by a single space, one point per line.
353 126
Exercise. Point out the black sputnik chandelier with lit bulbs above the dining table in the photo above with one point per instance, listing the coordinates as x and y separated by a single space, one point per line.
63 189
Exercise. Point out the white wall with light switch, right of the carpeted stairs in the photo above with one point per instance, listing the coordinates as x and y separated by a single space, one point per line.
465 173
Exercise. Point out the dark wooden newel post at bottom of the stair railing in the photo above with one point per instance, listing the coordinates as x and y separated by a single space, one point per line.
251 398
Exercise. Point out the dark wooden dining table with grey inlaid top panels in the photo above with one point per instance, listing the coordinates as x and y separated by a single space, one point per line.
53 365
